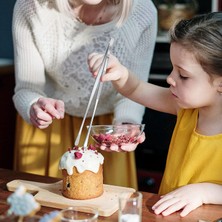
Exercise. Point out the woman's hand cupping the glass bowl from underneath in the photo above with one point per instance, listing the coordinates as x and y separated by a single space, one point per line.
127 147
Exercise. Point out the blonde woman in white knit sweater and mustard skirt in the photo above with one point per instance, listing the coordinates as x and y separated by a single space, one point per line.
52 40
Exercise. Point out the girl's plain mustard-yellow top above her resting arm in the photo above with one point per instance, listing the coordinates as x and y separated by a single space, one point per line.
192 158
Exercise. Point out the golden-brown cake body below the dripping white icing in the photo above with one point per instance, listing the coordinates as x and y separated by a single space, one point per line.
81 186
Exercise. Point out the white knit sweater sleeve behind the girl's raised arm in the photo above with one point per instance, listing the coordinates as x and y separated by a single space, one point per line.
139 59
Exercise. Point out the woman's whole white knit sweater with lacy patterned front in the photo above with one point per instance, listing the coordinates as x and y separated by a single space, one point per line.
51 51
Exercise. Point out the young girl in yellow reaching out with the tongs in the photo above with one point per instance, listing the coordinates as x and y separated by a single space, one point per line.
192 175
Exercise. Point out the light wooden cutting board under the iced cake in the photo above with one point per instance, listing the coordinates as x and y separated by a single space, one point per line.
50 195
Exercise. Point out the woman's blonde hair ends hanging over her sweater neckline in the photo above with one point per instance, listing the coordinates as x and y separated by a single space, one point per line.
121 15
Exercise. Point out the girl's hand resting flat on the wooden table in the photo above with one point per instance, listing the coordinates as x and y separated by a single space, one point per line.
187 198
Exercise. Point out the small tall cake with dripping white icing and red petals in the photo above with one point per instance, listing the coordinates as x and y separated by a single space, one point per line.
82 171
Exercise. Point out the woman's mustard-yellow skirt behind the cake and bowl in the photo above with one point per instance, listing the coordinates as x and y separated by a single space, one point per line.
39 151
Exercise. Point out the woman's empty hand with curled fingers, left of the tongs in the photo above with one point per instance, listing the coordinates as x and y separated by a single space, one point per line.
45 110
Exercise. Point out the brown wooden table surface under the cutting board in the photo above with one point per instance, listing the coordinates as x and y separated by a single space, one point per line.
206 212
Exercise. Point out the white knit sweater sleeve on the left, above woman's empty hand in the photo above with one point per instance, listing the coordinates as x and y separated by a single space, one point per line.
29 67
